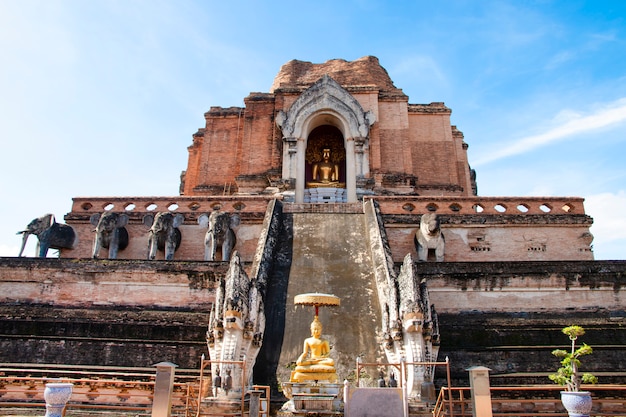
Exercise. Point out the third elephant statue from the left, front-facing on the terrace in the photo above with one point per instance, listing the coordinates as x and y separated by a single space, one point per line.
164 233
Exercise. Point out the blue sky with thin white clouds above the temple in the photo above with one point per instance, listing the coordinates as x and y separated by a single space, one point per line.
100 98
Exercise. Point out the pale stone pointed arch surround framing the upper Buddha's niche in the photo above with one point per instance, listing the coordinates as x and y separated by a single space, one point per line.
325 103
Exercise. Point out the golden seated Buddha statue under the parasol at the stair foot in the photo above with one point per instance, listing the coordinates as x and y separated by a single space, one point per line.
315 364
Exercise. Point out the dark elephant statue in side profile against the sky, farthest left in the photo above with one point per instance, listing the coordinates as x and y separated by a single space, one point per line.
50 235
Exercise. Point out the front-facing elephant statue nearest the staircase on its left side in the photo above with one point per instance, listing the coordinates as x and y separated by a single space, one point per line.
220 234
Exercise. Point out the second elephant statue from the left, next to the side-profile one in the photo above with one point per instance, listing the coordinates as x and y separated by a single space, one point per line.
110 233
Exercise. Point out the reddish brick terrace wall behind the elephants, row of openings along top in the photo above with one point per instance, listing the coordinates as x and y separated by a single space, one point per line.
559 234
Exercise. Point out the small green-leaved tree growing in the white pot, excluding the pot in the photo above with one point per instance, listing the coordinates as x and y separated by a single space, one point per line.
568 374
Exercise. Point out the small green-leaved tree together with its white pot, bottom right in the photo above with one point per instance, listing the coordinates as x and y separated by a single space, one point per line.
576 402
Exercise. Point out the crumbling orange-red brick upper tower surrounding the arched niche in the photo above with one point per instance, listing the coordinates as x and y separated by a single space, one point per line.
415 140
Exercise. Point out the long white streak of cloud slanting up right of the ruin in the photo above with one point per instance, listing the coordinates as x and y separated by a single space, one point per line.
570 123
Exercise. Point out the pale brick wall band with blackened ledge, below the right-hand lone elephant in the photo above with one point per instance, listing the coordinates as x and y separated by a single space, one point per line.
525 286
